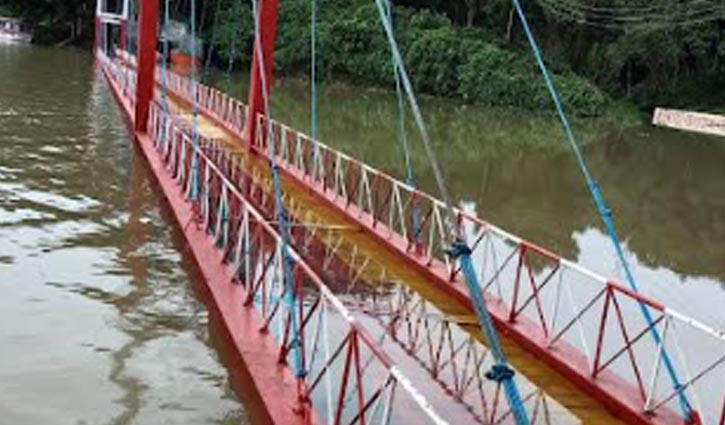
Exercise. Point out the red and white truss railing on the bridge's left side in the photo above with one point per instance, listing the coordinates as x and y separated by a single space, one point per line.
349 379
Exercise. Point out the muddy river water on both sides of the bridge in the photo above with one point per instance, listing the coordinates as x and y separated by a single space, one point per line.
101 324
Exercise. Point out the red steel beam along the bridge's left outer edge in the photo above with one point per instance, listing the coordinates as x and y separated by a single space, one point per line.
267 388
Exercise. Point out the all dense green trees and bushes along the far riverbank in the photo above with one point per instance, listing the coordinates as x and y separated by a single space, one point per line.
650 51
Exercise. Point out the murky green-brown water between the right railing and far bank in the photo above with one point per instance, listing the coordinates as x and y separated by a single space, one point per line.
664 187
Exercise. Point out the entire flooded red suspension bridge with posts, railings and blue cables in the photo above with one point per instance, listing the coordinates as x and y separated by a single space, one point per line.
350 296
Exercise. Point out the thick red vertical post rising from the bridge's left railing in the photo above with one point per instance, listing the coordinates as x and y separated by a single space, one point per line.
147 39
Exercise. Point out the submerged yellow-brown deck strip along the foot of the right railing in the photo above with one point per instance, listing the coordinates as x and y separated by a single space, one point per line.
388 264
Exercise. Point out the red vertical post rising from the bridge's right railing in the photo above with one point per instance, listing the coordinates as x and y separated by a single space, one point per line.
267 31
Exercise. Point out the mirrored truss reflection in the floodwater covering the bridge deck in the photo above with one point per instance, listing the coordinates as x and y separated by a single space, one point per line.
453 357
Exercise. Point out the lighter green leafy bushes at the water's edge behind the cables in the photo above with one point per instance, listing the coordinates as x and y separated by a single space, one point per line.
441 58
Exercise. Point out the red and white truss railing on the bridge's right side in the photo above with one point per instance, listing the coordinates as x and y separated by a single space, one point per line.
580 317
